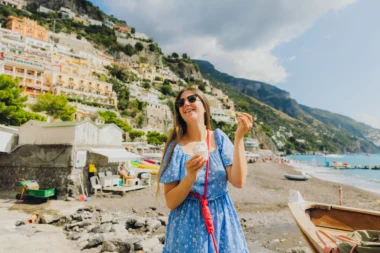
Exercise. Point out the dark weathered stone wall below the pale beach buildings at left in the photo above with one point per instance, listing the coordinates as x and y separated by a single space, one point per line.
51 166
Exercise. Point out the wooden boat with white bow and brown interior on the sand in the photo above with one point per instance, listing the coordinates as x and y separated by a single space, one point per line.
318 221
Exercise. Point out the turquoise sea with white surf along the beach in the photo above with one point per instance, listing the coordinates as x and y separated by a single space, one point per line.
365 179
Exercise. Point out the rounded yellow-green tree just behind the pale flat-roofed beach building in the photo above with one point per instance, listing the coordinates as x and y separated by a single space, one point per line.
56 106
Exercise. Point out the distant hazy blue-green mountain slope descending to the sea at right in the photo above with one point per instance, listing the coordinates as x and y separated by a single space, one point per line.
321 130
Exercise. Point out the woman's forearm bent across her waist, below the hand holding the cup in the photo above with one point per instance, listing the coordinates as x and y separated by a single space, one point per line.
177 195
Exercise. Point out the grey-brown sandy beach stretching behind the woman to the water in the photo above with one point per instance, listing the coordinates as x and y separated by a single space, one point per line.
261 206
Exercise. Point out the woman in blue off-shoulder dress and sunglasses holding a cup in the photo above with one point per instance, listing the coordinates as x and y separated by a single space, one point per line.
184 177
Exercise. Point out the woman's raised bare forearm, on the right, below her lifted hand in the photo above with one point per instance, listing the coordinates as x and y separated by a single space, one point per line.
239 166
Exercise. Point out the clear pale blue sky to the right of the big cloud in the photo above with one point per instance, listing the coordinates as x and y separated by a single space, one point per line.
337 62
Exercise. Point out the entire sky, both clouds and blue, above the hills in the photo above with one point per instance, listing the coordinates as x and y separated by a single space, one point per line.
323 52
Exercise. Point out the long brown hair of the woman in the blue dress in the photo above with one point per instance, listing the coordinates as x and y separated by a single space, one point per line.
179 129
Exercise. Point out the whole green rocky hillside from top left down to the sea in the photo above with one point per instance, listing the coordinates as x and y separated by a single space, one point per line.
282 123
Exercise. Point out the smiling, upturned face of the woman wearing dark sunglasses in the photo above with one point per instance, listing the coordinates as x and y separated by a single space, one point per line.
191 112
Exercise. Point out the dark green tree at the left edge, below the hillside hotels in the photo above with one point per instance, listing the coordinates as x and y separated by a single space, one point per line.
12 103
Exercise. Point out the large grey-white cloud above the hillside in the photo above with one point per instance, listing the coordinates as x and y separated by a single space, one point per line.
236 36
